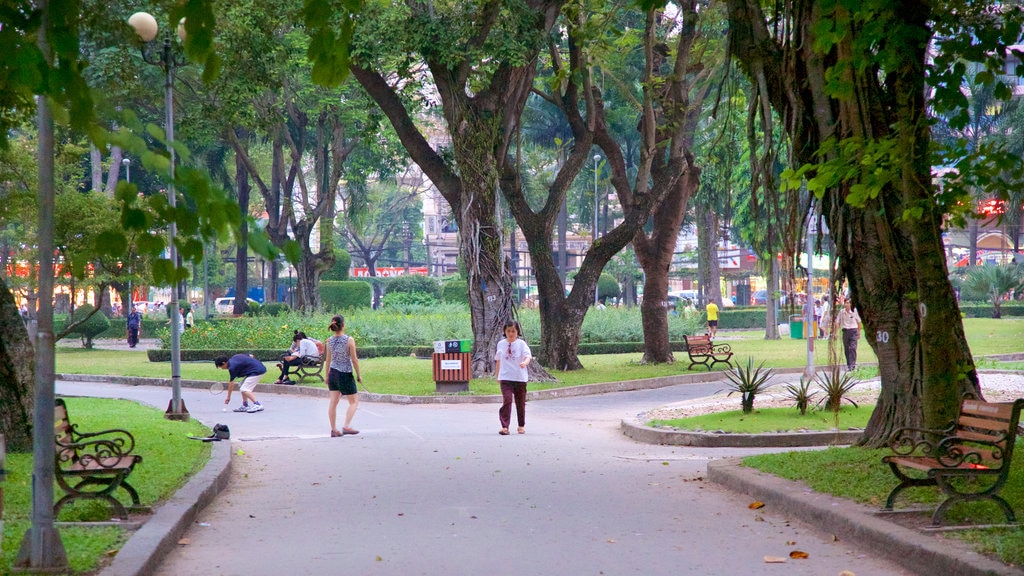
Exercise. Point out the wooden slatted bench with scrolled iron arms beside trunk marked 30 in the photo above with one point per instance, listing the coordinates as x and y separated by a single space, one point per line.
978 447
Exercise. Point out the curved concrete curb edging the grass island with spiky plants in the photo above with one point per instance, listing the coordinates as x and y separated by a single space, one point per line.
664 437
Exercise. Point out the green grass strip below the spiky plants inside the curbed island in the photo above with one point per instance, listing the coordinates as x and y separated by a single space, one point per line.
772 420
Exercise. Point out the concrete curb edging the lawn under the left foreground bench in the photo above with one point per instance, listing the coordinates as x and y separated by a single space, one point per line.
146 549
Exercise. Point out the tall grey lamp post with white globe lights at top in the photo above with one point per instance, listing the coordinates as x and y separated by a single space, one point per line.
147 28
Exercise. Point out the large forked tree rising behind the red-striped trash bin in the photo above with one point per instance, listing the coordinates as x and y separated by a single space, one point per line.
481 57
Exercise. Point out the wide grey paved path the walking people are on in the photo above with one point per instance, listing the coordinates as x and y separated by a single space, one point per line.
434 489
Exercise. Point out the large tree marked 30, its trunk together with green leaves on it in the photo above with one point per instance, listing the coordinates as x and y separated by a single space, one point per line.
850 83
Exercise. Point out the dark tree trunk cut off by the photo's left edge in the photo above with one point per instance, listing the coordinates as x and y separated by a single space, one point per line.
17 375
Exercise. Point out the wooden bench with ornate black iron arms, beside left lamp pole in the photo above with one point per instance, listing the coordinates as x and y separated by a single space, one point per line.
93 466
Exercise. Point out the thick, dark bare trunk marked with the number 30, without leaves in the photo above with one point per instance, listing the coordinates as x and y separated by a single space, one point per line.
895 267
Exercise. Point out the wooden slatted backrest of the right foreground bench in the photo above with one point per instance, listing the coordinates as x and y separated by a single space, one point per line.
986 433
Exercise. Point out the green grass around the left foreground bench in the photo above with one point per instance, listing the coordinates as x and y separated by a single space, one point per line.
169 459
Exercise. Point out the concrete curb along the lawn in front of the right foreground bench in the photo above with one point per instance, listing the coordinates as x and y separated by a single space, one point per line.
918 553
